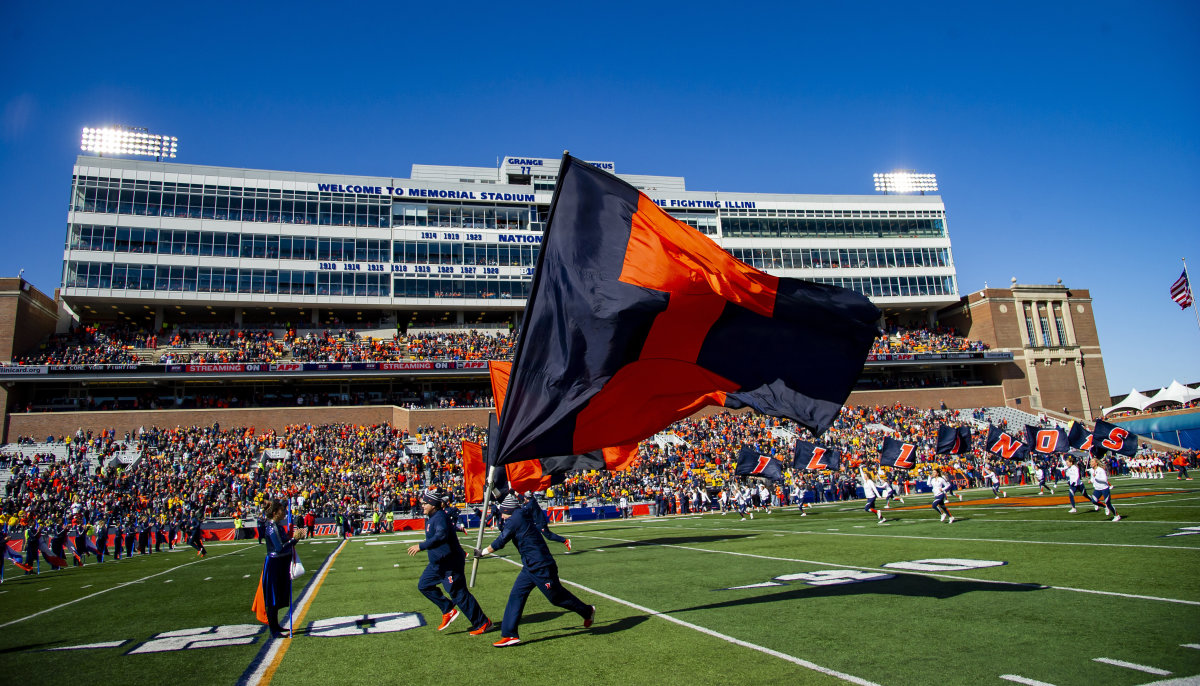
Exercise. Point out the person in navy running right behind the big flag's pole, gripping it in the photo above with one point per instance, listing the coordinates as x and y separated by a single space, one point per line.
539 570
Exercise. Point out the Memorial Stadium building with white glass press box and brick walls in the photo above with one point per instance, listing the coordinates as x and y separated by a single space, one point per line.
158 246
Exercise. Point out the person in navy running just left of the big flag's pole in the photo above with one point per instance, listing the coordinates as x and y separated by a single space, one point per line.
447 565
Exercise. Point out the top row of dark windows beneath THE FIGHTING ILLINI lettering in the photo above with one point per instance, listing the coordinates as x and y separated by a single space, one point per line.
796 228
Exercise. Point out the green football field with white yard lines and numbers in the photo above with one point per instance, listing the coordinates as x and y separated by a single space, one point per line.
1017 591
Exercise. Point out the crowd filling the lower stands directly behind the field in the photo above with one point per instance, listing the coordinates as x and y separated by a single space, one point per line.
329 470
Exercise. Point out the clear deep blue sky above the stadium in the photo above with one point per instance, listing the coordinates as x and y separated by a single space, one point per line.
1065 135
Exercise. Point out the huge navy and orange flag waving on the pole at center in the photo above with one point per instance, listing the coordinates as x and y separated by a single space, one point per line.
637 320
